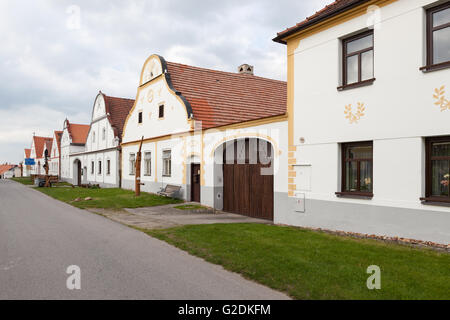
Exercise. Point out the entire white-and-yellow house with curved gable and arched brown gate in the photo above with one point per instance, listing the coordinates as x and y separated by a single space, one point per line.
191 120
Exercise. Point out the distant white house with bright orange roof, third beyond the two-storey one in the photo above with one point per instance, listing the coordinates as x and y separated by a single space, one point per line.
73 140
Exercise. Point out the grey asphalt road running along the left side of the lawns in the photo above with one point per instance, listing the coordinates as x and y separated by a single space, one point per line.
41 237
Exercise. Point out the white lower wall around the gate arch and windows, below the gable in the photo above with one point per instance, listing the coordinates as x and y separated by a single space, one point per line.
188 148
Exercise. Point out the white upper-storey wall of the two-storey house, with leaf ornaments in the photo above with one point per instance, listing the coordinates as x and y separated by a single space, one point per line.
401 98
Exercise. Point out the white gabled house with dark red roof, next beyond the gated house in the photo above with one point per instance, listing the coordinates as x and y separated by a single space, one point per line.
99 162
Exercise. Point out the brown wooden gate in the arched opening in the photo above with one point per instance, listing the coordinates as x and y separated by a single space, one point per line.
246 190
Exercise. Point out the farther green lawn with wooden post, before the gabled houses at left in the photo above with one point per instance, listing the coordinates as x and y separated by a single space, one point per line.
113 198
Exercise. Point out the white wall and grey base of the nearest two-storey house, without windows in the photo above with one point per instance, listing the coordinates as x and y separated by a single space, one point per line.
400 112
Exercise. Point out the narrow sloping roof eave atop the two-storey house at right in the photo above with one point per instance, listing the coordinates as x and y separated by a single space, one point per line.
332 9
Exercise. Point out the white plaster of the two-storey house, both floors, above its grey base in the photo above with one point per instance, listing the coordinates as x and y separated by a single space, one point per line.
399 105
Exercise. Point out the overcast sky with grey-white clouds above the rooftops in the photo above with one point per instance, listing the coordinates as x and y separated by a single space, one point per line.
56 55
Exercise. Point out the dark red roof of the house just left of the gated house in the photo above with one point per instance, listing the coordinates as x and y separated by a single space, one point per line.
118 109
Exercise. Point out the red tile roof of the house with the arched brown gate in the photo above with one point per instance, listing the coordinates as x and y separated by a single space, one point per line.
220 98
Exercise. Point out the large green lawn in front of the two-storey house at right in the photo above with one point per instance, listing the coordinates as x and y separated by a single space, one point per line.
314 265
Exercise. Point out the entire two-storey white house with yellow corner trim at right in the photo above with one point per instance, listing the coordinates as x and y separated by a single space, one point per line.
369 114
